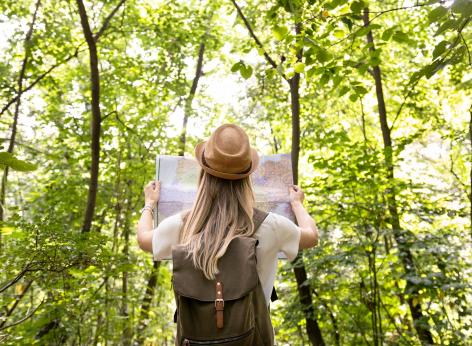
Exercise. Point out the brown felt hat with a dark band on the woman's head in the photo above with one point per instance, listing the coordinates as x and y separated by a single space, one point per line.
227 153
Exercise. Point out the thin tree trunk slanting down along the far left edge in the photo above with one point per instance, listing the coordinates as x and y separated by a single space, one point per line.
21 77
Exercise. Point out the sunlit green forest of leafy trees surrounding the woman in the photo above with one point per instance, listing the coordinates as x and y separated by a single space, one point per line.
372 99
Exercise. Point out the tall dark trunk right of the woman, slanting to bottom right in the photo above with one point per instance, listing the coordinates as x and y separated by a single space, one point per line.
405 254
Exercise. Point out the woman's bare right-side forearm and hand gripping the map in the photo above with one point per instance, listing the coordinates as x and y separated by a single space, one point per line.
309 235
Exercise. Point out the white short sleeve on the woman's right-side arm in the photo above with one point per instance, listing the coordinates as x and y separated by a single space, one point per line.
288 236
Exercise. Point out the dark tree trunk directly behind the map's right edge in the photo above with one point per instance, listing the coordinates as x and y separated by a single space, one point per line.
304 288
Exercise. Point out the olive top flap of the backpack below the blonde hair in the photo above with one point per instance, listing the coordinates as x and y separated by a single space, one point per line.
237 272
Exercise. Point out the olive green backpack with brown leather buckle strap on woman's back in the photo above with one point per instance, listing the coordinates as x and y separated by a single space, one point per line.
230 310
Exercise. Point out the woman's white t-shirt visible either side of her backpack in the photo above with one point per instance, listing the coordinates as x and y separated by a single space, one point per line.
276 233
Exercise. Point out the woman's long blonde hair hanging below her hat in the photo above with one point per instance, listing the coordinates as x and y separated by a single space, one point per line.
222 211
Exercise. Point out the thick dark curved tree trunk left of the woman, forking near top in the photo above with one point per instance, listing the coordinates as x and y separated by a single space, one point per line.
96 117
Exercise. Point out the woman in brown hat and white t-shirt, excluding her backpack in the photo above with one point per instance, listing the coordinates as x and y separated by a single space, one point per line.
223 210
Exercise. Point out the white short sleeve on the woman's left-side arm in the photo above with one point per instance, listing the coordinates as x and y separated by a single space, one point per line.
165 235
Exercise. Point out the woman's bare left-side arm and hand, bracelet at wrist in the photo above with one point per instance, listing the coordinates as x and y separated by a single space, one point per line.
145 223
